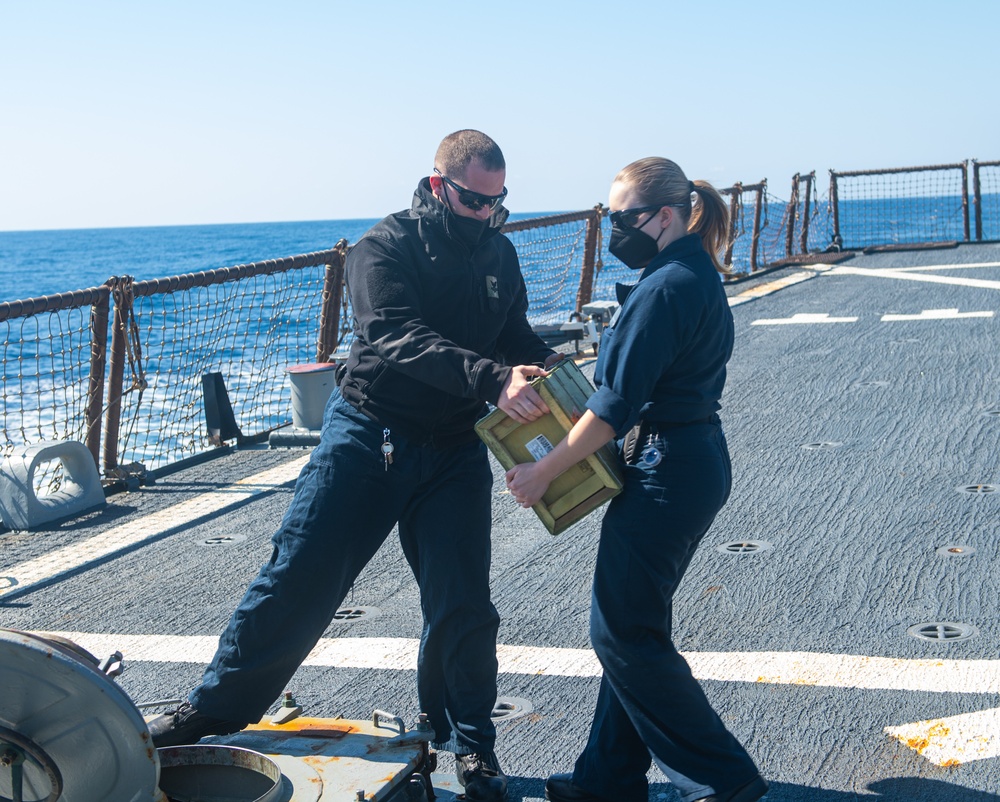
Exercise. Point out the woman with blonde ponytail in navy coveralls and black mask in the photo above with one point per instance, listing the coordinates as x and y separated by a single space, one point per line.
659 377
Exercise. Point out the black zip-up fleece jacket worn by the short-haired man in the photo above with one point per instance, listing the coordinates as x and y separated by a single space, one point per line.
436 323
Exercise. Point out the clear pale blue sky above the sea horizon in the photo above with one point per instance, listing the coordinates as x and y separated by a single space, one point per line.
135 113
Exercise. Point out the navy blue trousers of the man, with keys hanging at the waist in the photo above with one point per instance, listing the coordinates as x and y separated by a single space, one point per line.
345 505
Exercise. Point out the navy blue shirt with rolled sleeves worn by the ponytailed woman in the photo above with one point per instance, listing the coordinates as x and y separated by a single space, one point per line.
663 357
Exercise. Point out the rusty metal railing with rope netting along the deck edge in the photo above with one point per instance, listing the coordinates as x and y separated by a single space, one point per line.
119 367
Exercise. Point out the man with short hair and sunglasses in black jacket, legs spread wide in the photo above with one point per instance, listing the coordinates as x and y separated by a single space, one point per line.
439 318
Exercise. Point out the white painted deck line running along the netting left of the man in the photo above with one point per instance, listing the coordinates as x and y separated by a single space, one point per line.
71 558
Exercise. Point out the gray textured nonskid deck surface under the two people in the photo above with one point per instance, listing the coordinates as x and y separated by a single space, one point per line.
901 412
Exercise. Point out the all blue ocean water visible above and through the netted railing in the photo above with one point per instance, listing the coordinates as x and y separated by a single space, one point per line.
252 335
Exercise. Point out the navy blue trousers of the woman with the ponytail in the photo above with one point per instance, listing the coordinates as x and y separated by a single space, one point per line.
650 707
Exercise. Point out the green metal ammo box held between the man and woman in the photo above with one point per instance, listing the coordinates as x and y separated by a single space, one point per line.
584 487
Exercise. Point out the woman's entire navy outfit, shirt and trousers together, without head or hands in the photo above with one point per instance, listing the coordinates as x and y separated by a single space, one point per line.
662 361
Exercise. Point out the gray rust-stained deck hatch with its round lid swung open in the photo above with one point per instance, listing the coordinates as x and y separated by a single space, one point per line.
69 733
